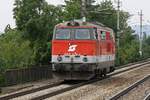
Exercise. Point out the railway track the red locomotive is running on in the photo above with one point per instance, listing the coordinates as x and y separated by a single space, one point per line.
62 90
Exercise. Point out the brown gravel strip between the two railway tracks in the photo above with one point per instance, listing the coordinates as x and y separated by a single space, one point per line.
102 90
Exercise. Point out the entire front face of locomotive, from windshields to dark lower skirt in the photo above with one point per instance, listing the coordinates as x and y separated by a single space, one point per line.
74 52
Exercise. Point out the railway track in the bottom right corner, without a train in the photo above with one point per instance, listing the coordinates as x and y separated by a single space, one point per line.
130 88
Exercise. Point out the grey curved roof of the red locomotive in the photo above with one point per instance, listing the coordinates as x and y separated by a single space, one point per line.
81 23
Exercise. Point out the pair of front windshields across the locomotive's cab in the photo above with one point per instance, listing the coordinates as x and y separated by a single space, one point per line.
74 33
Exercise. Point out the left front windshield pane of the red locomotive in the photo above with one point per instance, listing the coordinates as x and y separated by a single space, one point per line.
62 34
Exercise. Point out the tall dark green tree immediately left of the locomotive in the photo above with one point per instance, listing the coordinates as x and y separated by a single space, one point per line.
36 20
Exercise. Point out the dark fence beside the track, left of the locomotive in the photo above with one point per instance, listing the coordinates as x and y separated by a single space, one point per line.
15 76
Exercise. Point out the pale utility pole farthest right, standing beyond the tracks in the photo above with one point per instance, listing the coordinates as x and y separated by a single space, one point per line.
141 32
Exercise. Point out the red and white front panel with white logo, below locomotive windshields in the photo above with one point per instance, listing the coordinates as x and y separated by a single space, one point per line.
64 49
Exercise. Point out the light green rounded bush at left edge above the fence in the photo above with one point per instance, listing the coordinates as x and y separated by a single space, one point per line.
14 51
